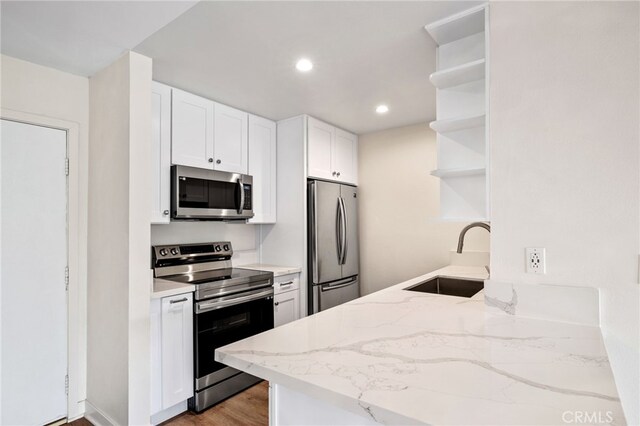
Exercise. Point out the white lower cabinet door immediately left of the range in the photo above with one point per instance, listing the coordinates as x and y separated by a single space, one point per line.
177 349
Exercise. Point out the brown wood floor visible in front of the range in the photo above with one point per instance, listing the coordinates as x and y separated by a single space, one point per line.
248 408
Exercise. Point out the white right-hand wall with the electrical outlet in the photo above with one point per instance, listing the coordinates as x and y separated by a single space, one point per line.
564 147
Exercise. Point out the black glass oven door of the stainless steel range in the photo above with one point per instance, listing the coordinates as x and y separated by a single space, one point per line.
224 320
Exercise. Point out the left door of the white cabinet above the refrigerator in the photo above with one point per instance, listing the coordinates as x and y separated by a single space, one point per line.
319 141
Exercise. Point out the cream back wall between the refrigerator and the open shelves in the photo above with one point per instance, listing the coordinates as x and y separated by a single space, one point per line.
400 234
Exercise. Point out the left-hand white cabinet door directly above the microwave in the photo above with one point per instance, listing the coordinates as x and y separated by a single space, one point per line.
192 130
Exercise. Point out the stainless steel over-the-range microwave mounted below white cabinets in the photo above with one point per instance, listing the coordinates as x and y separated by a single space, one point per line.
201 194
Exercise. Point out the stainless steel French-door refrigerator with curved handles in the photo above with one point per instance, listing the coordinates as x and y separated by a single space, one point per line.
333 245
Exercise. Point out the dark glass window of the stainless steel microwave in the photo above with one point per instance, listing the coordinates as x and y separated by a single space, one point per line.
208 194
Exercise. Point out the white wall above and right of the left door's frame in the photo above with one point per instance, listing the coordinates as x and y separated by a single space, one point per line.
39 90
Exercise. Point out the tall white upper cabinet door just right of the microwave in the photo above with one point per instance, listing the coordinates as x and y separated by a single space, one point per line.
262 166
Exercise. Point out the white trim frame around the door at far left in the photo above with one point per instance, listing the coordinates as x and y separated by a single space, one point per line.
76 318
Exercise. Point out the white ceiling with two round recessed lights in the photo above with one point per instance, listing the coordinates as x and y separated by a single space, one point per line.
243 53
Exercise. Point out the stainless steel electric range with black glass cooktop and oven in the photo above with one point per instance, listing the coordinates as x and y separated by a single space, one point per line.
230 304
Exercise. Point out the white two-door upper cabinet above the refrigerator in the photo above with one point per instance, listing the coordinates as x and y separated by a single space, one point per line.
331 153
